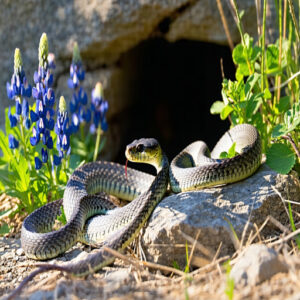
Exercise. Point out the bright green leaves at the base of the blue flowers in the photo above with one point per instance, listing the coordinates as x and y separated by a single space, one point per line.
20 179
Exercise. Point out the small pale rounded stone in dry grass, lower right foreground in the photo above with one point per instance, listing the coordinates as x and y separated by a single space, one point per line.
257 263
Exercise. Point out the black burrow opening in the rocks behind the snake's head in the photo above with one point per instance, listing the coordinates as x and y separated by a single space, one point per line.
172 87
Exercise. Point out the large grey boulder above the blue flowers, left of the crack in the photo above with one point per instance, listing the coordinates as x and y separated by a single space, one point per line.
103 29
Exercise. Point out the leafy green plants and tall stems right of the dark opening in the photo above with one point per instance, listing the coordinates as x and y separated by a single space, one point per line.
266 94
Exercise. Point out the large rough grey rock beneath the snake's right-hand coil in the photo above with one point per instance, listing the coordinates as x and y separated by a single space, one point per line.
211 212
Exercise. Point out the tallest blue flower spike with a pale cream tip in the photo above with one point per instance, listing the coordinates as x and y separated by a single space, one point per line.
45 100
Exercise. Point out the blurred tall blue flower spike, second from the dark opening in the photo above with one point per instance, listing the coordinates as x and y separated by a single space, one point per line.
80 113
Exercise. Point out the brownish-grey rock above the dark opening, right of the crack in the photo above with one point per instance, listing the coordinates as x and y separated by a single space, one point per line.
201 21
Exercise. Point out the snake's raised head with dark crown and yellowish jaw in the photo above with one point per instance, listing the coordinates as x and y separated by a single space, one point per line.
145 151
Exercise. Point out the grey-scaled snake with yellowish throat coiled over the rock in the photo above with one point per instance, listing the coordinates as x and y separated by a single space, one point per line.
92 218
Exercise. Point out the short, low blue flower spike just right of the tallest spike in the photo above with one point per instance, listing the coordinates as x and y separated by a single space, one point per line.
63 131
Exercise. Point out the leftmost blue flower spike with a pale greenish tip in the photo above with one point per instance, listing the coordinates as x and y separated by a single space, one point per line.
19 91
